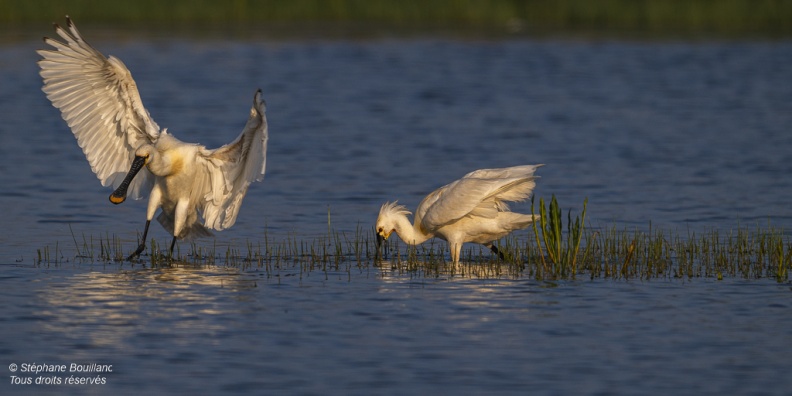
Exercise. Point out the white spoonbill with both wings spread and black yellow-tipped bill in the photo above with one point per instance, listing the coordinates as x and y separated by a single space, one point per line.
127 150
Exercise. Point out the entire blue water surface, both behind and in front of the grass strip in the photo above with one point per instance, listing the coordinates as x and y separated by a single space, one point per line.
687 136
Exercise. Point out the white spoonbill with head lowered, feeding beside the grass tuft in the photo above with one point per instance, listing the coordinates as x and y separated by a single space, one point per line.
471 209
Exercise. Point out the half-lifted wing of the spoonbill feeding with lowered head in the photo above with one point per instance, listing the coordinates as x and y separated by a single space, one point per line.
481 193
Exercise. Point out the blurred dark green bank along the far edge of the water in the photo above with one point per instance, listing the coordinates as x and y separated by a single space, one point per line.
664 17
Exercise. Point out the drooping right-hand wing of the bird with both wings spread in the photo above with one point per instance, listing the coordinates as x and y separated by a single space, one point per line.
233 167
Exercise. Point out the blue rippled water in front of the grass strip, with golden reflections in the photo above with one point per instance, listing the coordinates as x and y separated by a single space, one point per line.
219 330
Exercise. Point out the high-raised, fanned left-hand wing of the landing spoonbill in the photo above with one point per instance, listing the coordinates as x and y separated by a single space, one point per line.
100 102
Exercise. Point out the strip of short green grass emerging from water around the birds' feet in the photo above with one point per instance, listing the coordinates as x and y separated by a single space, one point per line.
545 252
